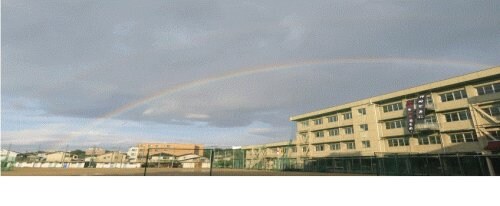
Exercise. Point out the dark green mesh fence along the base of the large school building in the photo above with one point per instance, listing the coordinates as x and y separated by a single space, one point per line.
409 165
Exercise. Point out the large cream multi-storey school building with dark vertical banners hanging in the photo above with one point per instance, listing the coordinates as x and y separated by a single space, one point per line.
461 115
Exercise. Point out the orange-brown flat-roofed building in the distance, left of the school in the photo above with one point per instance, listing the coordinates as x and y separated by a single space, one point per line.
168 148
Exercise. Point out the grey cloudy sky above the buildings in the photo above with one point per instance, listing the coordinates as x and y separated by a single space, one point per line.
115 73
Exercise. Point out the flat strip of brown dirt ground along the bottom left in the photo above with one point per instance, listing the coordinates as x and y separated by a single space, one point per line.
155 172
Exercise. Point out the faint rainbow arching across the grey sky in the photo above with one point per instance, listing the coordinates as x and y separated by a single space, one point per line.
264 69
